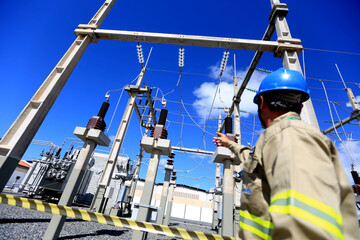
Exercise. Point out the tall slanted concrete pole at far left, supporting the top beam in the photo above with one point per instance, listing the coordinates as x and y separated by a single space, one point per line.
18 138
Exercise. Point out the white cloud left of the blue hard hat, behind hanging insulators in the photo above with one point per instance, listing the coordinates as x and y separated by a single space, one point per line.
205 92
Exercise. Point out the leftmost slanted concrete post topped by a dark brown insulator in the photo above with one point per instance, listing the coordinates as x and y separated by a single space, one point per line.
91 137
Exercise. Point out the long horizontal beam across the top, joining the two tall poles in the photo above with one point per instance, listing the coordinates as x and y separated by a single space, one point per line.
187 40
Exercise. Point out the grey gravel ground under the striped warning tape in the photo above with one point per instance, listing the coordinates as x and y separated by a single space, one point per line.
21 223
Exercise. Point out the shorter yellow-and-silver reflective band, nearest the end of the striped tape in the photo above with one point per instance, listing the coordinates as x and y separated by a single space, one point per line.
256 225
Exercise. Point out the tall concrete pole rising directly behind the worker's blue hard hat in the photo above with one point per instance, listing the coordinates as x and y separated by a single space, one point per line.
290 58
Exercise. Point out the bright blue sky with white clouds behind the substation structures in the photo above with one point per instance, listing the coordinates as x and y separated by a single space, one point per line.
36 34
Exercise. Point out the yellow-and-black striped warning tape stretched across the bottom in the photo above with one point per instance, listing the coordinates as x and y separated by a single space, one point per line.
127 223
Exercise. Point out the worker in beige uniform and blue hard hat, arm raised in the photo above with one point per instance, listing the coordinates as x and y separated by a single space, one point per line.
294 186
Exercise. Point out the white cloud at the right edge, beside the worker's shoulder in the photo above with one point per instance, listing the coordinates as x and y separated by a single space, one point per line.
348 153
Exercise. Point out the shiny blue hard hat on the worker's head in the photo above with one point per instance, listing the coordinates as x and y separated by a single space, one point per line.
284 79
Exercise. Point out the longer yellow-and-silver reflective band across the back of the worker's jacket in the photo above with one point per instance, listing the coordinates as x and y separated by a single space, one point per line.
294 203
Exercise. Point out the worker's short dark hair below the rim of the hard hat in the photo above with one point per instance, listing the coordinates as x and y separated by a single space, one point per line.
284 101
